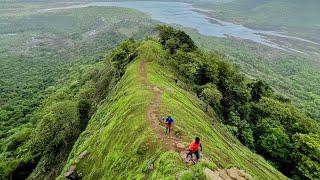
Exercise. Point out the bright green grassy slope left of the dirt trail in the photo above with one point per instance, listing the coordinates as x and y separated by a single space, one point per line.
118 138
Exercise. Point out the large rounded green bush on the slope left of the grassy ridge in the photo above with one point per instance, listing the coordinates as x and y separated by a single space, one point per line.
57 129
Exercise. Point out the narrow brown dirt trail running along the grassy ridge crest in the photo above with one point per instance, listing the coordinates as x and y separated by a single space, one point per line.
171 141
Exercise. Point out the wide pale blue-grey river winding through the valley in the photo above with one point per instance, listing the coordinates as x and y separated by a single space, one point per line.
185 15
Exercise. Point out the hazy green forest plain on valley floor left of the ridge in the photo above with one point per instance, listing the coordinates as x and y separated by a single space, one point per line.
39 51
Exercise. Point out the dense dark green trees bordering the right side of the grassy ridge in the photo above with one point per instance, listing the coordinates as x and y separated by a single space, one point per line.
262 120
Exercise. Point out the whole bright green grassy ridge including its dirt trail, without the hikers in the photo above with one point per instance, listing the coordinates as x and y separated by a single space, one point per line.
125 139
